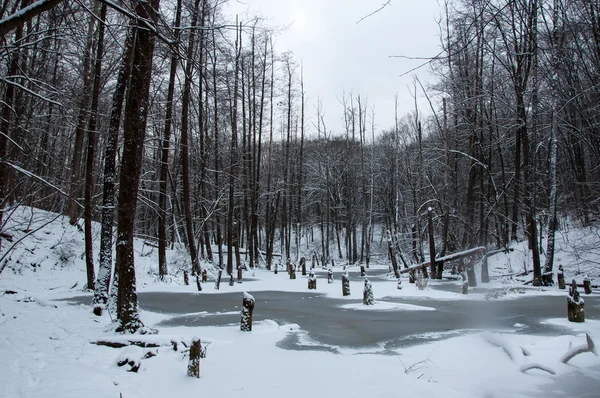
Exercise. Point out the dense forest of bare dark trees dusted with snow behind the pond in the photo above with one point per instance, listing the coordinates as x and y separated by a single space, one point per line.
180 125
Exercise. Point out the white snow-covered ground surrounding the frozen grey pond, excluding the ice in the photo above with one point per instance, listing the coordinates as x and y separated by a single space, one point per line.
46 350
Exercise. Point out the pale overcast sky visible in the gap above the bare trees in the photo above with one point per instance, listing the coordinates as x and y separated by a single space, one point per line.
339 55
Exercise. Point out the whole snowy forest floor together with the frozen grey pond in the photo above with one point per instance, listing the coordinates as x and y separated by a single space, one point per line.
46 350
